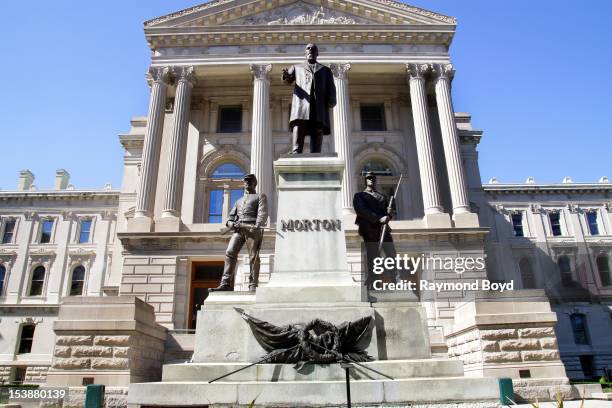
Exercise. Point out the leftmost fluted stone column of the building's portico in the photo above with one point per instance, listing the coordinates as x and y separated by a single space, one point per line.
152 142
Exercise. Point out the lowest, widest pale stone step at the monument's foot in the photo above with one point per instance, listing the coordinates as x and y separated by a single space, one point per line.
483 391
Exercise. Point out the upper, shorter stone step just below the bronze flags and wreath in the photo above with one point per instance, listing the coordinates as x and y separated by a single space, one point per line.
397 369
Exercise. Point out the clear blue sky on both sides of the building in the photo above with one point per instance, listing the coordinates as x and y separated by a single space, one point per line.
535 75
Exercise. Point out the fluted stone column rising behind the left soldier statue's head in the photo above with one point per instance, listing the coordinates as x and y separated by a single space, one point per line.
261 133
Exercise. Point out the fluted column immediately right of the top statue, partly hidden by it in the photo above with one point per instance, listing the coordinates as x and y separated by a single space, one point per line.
342 133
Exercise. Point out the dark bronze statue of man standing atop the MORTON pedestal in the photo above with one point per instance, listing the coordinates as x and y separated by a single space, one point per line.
314 94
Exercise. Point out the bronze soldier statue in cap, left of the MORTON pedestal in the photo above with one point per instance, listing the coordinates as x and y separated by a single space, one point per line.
247 219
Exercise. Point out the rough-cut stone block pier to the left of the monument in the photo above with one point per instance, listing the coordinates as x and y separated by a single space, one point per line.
114 340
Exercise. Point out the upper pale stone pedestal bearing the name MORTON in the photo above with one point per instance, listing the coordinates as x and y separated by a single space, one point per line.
310 261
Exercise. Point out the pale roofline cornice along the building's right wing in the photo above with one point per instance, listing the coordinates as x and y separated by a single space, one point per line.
582 188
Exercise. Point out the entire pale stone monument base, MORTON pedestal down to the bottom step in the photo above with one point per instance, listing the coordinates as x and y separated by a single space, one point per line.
311 280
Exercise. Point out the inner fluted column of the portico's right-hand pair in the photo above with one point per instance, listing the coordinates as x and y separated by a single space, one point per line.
434 215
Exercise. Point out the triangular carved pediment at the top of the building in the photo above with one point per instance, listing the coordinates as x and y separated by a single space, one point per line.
299 12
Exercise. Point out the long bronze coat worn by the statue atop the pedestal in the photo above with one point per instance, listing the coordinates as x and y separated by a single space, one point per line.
312 90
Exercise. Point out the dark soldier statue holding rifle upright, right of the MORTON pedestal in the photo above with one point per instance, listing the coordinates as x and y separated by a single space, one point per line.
373 216
